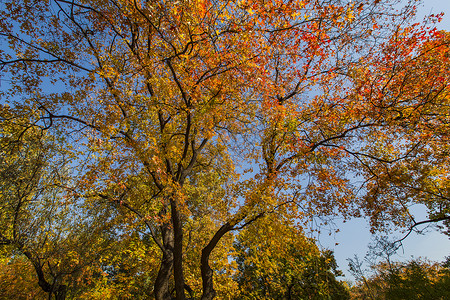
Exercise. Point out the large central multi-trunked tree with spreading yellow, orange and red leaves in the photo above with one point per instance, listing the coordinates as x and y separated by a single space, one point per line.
275 99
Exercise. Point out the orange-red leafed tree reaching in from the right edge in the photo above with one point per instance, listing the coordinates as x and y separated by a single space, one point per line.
410 89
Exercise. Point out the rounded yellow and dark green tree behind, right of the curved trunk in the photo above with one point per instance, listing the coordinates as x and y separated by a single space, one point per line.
285 265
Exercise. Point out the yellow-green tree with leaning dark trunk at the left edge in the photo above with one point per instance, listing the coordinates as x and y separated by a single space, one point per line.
27 199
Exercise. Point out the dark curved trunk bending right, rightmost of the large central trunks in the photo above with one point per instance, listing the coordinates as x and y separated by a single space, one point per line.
207 273
